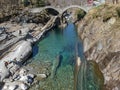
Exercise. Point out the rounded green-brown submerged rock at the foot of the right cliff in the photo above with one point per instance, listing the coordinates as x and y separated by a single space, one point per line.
89 77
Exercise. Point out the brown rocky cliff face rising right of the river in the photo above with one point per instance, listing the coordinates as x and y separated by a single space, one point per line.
100 33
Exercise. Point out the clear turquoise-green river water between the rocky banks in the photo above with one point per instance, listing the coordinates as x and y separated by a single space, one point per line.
62 43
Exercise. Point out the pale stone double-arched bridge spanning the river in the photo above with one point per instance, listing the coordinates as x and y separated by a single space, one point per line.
60 10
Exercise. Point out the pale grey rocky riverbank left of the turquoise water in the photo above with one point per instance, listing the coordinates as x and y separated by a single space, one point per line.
16 39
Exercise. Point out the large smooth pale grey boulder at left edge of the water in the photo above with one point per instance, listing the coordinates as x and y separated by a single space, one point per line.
20 53
